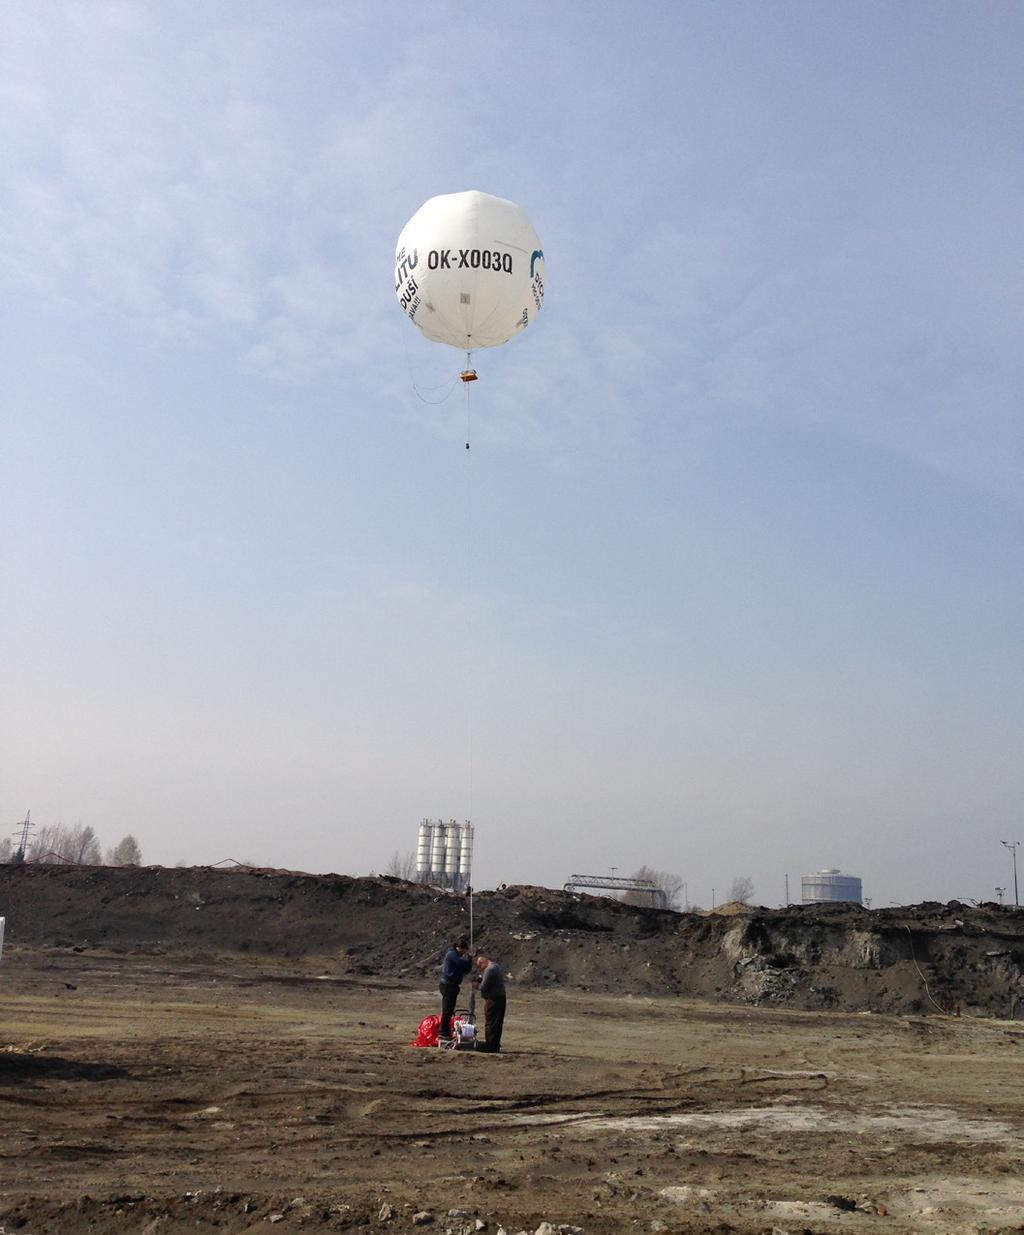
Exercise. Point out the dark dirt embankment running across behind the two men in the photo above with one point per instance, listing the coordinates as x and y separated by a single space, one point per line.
917 959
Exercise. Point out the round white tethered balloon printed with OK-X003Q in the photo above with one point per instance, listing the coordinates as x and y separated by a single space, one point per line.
470 270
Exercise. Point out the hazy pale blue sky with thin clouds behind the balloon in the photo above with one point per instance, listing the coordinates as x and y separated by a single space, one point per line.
732 581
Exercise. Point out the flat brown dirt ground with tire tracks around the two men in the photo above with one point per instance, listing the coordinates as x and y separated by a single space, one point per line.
140 1094
